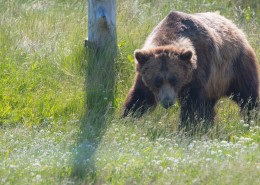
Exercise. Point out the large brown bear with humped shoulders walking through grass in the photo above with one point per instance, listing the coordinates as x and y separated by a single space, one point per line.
195 59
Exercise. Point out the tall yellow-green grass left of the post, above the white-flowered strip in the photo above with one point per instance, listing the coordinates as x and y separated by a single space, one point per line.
41 60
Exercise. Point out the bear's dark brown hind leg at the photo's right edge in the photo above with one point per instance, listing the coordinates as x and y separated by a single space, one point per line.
244 89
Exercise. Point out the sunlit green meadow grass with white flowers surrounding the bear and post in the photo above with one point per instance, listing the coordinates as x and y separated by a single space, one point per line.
46 136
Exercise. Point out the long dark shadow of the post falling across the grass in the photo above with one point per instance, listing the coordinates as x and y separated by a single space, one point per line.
100 80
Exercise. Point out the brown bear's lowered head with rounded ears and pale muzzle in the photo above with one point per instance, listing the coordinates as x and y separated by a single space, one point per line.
165 70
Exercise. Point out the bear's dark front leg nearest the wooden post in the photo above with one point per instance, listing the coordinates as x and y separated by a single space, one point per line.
139 100
